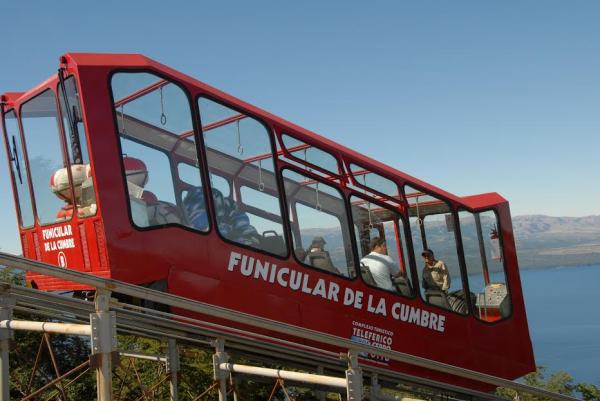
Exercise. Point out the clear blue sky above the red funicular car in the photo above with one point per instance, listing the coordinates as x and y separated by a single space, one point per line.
470 96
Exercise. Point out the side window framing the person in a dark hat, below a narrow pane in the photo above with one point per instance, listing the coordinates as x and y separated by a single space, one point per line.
319 225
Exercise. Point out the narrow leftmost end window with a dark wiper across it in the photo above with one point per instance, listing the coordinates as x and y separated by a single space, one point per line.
18 169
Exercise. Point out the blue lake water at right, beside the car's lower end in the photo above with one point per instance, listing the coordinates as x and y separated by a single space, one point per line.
563 309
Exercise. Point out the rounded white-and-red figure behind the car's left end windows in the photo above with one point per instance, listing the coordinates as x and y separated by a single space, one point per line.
59 184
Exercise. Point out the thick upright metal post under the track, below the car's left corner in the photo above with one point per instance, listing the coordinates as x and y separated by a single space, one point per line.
103 344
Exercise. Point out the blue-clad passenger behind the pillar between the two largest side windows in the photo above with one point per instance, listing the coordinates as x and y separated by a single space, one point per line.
233 223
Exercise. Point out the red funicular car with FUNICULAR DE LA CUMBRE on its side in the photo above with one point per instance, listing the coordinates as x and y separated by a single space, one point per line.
125 168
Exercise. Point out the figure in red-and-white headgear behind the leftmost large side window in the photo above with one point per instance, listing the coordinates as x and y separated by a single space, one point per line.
146 208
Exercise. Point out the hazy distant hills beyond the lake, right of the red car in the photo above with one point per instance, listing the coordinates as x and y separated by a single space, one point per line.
557 241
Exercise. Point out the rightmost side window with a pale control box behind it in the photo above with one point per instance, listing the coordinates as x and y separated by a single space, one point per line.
485 267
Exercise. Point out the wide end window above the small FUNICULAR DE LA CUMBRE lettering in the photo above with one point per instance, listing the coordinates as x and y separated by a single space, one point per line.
49 178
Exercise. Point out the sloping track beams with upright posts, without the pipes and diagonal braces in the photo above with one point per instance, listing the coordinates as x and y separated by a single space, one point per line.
104 334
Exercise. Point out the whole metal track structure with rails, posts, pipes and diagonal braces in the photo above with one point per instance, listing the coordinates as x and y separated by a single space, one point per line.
102 319
